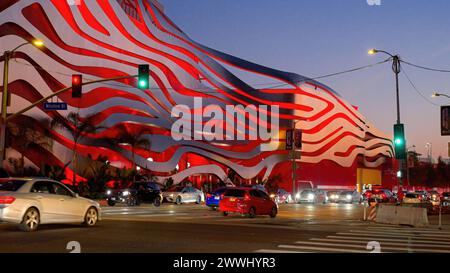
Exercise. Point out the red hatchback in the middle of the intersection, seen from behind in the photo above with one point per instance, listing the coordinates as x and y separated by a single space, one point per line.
247 201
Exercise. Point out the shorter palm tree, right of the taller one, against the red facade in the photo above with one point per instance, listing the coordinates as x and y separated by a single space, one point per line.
134 139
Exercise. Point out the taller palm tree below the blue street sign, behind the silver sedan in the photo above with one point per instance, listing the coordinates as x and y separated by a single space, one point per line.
78 129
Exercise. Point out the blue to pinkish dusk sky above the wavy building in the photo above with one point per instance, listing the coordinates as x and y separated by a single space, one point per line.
318 37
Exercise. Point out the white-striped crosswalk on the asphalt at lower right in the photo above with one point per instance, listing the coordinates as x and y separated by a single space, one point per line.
391 239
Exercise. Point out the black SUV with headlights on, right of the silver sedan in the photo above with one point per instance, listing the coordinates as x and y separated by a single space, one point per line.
136 193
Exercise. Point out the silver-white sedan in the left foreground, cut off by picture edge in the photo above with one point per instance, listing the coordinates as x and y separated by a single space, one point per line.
30 202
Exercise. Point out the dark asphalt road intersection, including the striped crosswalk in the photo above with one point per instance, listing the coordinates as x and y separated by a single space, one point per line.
195 228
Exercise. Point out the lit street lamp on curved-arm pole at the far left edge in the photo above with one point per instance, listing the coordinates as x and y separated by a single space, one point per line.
7 55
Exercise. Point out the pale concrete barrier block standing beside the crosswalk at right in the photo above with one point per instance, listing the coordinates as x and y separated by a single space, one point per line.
402 215
